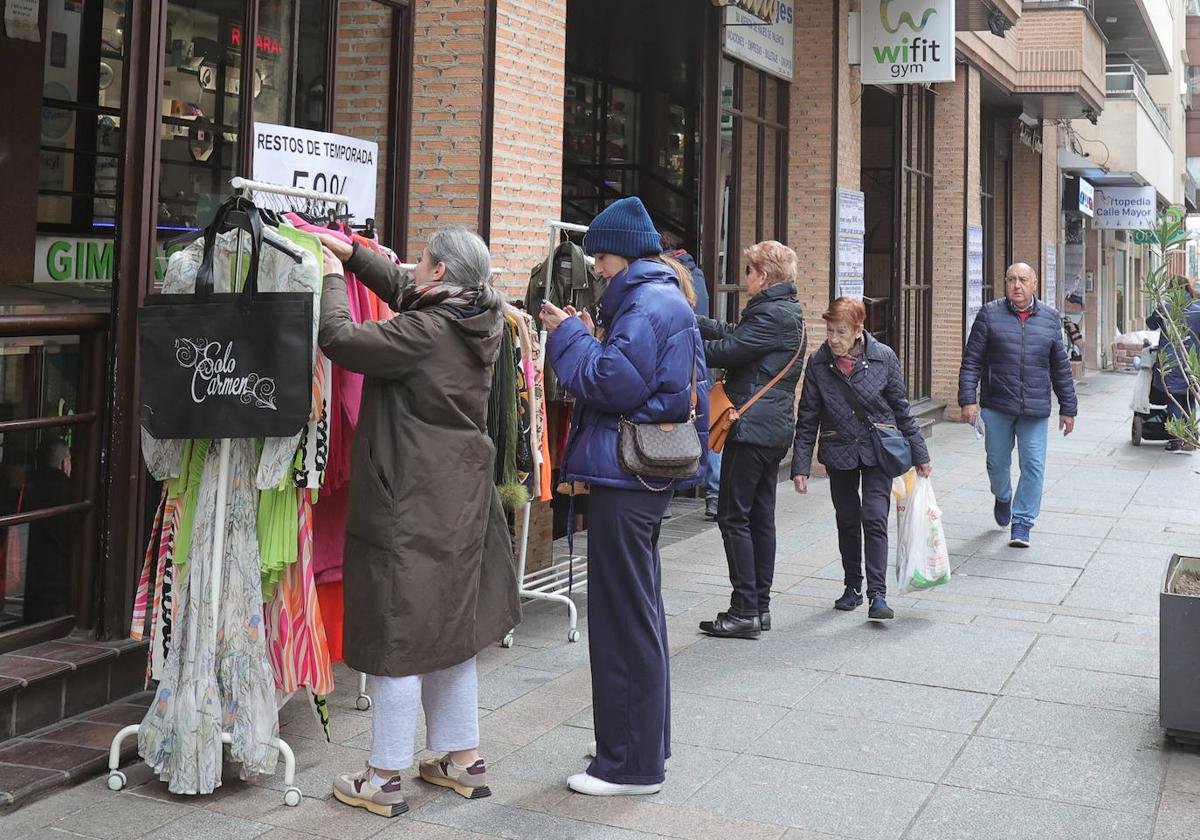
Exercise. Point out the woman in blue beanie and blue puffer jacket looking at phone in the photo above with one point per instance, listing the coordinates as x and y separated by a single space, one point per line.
644 369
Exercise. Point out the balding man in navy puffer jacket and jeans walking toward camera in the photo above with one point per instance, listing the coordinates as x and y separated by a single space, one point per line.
1013 359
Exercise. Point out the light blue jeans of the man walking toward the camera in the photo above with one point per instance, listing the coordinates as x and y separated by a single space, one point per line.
1001 431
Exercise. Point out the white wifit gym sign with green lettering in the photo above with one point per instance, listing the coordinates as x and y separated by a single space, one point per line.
908 41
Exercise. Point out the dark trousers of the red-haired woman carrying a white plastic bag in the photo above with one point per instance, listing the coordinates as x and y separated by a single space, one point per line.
863 519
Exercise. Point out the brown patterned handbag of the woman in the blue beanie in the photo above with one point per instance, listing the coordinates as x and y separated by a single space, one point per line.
667 452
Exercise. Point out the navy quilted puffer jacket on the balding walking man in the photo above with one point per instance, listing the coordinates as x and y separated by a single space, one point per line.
1016 364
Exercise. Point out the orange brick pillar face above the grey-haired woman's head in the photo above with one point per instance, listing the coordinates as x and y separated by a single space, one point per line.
448 68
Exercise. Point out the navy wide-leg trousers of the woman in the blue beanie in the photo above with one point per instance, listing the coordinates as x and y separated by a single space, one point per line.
628 637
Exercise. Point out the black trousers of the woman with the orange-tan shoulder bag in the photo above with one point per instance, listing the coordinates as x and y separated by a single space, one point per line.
746 512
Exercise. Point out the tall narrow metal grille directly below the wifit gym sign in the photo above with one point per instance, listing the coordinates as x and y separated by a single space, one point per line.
915 241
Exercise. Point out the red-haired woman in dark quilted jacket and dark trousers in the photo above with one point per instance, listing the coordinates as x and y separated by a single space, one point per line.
862 493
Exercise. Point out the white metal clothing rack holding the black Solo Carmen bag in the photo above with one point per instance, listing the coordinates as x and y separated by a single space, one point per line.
292 795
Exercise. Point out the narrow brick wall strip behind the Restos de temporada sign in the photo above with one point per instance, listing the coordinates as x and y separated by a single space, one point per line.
364 56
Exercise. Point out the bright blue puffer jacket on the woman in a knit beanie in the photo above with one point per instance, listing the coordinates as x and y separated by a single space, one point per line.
643 370
